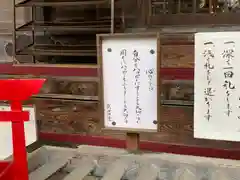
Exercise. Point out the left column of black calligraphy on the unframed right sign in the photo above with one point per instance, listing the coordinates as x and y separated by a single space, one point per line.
209 57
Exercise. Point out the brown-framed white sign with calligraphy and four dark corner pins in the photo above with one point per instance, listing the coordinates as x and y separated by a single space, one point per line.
129 69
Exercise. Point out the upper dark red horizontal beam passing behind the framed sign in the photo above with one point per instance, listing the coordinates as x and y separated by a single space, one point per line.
166 73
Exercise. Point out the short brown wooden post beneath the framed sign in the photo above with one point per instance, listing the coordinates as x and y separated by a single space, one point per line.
132 142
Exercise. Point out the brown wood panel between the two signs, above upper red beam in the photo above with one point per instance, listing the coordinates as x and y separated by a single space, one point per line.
177 56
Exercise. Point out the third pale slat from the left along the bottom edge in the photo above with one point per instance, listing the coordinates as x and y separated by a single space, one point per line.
116 170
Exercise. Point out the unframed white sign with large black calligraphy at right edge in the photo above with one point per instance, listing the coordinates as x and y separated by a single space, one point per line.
217 86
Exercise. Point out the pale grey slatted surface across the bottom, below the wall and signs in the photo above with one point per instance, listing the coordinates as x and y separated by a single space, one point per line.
117 164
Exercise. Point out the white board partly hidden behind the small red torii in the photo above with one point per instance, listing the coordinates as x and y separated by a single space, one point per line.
6 149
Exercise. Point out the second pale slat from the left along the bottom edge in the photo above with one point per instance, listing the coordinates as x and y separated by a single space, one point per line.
83 169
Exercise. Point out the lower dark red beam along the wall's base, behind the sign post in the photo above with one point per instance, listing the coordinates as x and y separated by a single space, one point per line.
148 146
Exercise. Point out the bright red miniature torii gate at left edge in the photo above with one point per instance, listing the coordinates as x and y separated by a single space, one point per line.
16 91
